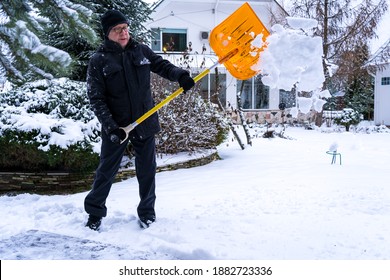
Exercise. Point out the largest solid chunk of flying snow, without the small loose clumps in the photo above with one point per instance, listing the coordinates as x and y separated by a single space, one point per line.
292 58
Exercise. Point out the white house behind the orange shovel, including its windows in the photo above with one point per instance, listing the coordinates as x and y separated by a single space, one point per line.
177 24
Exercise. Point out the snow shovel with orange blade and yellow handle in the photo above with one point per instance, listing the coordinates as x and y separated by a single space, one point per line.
237 41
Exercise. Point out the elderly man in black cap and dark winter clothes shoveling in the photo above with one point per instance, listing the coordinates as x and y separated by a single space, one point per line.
118 86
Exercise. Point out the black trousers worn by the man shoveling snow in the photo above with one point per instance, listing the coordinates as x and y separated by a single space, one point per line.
110 159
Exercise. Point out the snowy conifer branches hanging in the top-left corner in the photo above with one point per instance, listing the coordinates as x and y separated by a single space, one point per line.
23 28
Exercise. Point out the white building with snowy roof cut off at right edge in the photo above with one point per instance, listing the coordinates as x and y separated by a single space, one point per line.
382 86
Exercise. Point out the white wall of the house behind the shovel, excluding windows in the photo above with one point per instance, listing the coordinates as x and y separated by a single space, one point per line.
202 16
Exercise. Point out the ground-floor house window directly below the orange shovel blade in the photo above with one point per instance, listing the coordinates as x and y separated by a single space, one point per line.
254 94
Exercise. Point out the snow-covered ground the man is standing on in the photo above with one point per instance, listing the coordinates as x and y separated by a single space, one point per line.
279 199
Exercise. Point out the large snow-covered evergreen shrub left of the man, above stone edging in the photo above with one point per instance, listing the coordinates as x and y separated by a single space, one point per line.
48 125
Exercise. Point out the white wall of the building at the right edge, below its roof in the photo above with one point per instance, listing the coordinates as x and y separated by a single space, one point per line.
382 98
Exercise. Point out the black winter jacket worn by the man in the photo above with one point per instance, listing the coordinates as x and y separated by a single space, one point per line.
118 85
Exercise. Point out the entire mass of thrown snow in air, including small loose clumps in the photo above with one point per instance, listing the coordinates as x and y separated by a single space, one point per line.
293 58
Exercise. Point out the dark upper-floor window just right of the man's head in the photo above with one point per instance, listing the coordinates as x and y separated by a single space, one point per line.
169 39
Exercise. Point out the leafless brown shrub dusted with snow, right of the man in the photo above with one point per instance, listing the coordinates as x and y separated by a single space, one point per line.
188 122
